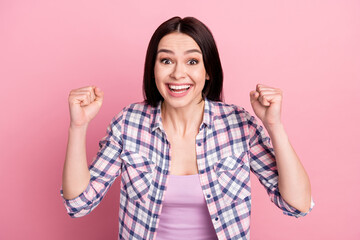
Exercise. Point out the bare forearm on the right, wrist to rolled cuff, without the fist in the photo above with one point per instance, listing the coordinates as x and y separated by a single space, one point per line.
294 183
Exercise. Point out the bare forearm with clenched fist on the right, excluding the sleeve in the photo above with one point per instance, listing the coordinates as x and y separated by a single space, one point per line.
293 183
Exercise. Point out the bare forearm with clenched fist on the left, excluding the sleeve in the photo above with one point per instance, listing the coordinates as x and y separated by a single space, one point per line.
84 104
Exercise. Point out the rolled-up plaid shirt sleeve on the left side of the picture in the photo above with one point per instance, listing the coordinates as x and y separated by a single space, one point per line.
104 169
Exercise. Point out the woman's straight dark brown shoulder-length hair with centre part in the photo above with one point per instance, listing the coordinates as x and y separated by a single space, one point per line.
203 37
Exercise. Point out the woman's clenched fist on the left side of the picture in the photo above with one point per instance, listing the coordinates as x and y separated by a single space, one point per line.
84 104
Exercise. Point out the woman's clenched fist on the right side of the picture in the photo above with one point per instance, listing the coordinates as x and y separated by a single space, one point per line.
266 103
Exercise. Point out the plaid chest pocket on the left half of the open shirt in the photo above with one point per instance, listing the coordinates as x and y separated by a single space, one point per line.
137 175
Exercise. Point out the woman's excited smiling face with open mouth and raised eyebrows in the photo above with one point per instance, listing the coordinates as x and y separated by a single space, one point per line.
179 70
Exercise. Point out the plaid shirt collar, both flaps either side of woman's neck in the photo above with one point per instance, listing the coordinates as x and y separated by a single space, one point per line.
207 118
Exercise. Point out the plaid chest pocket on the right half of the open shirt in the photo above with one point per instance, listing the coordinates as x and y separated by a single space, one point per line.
233 175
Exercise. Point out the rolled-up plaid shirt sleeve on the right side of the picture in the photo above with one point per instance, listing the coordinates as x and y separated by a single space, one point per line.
263 165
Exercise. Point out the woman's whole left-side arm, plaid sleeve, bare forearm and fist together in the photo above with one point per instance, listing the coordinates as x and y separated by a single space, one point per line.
84 188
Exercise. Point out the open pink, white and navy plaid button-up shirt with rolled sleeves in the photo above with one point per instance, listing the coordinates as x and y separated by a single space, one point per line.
229 144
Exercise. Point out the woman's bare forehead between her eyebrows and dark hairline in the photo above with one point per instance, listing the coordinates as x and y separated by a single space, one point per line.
178 42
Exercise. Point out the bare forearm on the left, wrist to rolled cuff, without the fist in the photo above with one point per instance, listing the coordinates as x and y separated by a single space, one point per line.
76 174
